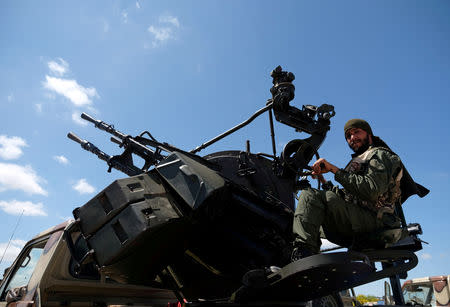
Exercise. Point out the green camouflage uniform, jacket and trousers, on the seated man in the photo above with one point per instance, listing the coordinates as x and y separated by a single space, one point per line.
371 187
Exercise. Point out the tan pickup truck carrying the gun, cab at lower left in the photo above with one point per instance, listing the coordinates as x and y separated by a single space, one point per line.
43 275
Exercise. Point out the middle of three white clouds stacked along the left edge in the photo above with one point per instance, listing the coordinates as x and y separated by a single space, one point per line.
16 177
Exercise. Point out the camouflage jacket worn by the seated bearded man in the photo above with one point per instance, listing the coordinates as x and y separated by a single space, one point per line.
372 180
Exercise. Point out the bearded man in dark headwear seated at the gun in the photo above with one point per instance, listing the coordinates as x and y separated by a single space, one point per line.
372 186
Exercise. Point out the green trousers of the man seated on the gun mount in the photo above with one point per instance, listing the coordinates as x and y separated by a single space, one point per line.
341 221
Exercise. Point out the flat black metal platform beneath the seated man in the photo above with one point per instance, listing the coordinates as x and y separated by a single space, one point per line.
319 275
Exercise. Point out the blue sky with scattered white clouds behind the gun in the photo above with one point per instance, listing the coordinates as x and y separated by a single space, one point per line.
189 70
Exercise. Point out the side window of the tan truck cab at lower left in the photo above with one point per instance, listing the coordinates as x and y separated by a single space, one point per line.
23 269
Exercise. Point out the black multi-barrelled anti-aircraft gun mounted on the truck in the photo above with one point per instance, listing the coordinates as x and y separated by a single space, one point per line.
217 229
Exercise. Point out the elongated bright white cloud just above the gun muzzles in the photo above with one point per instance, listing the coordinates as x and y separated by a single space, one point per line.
77 94
